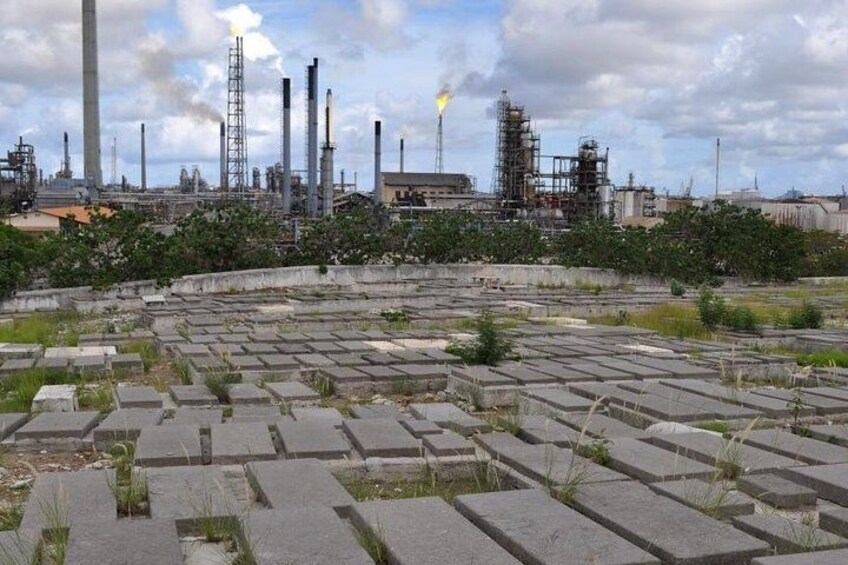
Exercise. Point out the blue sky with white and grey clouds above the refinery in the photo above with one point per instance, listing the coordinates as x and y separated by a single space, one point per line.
655 80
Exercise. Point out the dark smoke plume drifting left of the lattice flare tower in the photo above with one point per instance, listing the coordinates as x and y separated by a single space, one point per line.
156 64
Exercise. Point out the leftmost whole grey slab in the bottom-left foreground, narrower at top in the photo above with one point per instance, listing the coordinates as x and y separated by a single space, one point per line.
63 499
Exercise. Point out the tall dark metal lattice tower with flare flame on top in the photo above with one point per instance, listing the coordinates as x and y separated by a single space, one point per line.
236 122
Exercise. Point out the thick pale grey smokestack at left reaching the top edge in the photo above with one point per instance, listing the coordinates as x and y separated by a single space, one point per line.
91 93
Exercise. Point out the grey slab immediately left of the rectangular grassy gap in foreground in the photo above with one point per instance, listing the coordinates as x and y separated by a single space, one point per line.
304 483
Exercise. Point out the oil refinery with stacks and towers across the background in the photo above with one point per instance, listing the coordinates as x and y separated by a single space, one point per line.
553 189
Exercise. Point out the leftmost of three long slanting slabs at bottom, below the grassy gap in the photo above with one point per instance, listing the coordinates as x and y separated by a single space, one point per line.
427 531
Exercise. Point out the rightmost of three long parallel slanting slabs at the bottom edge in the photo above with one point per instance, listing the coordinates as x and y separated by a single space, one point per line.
667 529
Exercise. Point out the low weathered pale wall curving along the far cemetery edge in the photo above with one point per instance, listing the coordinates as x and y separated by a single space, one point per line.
335 276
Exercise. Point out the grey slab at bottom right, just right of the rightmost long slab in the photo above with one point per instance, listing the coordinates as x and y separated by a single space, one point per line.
788 536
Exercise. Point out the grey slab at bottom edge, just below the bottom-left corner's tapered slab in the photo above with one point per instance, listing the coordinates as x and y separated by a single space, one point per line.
141 542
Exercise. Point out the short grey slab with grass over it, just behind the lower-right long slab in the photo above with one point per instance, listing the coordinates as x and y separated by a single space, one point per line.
715 498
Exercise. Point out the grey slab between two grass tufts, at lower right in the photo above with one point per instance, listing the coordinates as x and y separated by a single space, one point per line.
651 464
